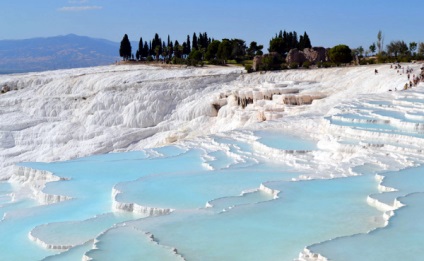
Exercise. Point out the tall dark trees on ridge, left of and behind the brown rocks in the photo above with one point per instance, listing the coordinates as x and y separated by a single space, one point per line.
201 48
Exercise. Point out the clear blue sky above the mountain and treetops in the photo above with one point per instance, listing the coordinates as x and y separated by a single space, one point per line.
327 22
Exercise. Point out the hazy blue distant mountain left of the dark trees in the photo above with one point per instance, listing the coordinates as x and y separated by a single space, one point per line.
60 52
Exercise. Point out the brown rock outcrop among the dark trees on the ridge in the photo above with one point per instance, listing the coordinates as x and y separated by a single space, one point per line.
313 55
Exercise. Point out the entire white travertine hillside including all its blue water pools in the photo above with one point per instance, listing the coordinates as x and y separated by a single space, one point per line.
142 162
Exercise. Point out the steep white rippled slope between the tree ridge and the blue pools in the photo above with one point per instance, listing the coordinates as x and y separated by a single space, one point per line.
65 114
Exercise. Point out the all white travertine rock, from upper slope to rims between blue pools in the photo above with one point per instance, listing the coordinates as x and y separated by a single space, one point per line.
65 114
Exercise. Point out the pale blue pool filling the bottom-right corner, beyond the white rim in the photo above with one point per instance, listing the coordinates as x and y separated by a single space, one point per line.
402 239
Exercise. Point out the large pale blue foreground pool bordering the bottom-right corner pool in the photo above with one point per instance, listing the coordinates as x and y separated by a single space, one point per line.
253 231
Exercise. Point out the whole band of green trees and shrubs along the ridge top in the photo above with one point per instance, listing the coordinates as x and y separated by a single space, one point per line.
201 49
